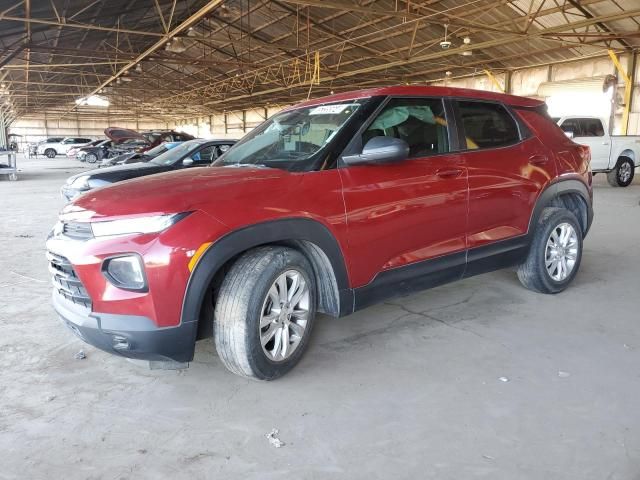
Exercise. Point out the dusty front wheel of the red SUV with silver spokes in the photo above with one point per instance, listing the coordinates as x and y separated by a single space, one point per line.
248 294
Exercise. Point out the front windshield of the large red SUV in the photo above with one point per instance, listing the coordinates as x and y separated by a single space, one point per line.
291 138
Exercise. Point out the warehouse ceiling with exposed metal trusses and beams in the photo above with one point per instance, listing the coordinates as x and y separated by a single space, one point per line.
177 59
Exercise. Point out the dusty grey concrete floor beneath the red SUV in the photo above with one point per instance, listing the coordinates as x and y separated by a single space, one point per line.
409 389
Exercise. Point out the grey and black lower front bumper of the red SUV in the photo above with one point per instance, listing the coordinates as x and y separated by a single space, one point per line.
128 335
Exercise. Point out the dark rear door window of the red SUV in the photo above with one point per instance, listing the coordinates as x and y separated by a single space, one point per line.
487 125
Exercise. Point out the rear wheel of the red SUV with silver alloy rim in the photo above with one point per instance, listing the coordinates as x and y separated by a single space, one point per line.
533 273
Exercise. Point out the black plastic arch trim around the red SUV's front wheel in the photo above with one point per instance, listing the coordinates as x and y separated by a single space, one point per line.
251 236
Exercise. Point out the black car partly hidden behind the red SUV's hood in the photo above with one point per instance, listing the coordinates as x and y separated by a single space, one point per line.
194 153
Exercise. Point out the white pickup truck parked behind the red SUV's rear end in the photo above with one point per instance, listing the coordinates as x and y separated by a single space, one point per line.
616 155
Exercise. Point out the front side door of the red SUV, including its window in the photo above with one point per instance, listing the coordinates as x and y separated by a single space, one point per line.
407 219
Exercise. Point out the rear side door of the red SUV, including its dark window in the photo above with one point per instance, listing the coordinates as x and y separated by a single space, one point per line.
508 168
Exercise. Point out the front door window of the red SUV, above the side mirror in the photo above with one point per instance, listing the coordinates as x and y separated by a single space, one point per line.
418 121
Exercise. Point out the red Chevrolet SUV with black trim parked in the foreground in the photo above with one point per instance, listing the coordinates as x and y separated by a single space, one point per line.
329 206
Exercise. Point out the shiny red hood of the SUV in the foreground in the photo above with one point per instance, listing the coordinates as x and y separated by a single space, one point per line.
219 191
